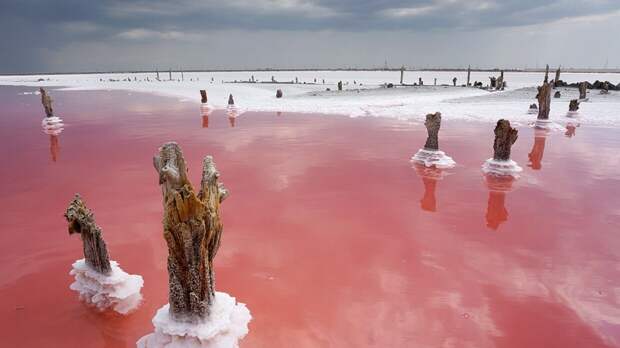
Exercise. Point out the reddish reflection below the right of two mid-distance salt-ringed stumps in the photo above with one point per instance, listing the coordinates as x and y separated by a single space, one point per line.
496 208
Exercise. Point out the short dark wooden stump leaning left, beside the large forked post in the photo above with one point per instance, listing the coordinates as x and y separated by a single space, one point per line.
82 221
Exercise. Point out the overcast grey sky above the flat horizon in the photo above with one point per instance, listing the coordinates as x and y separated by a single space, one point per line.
108 35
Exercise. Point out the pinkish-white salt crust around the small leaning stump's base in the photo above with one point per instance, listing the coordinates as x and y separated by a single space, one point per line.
118 290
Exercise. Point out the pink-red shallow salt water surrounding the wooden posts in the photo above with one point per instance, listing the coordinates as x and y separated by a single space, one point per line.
331 237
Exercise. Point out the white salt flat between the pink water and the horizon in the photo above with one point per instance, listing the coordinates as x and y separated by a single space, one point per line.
363 95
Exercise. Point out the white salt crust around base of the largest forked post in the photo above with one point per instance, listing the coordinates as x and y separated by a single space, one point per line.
224 328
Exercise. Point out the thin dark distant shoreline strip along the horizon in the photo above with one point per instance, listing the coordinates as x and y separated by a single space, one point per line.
535 70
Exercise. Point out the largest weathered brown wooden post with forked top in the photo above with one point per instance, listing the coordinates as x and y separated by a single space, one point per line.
192 230
